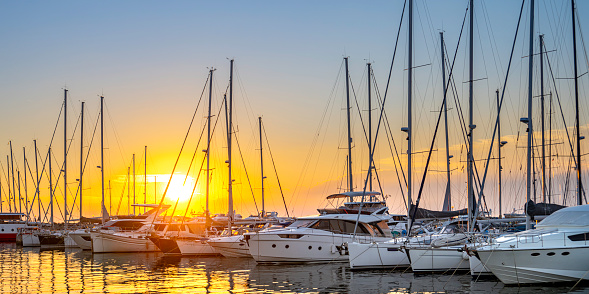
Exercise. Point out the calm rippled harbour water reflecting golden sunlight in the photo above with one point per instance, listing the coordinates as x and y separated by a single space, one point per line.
31 270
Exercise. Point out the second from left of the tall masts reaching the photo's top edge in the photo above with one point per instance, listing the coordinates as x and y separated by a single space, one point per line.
471 125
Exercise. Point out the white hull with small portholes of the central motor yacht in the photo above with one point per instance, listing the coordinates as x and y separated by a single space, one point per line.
307 248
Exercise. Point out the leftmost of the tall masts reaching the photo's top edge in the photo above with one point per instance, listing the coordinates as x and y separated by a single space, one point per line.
409 111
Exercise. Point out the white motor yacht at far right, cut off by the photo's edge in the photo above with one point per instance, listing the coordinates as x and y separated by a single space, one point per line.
557 250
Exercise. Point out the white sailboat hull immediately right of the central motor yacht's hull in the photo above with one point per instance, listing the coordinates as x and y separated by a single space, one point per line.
377 255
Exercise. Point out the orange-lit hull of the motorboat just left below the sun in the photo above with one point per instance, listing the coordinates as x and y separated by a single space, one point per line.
108 242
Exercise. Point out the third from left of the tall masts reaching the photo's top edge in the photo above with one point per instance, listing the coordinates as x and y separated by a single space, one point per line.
529 118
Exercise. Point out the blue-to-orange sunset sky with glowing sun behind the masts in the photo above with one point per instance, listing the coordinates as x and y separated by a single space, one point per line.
151 62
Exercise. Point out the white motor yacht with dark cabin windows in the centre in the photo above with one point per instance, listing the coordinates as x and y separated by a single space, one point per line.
322 238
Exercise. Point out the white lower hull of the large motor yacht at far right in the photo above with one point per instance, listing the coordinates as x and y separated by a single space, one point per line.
530 266
